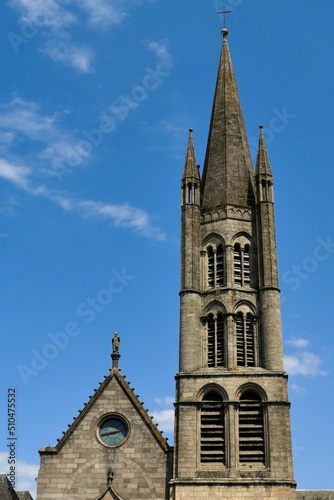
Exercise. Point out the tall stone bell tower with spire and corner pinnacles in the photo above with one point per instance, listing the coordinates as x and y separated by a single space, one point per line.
232 425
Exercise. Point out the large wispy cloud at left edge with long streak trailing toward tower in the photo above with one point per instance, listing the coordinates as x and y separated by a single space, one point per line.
24 121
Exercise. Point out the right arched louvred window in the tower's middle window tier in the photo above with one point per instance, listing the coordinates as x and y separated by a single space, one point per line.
245 339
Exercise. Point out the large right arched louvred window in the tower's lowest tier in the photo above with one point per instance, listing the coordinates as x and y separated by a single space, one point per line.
251 429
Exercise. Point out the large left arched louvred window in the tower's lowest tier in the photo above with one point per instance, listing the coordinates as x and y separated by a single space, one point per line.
212 429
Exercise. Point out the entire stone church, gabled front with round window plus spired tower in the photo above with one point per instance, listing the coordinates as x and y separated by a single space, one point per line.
232 422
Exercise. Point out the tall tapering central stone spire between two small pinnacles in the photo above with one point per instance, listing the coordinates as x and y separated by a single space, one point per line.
228 171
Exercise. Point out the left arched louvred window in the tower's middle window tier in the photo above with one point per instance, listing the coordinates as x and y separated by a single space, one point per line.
216 340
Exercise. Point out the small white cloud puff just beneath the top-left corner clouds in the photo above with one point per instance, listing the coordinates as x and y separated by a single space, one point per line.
79 58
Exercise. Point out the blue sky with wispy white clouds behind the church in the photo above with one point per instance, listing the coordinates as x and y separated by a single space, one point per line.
96 100
